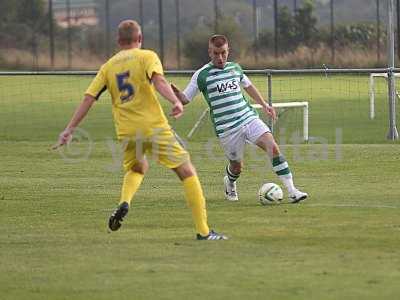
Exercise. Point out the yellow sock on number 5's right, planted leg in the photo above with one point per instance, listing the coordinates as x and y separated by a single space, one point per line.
196 201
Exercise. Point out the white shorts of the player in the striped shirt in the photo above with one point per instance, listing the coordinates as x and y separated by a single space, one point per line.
234 144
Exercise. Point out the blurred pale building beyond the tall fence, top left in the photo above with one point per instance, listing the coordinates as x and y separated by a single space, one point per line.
81 12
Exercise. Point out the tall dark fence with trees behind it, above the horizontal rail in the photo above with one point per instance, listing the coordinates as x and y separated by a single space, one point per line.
80 34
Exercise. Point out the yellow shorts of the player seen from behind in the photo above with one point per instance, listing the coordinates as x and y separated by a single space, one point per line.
162 146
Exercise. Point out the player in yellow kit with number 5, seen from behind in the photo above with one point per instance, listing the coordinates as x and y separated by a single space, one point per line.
131 76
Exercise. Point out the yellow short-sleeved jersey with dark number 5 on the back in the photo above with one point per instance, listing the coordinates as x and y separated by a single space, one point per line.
135 106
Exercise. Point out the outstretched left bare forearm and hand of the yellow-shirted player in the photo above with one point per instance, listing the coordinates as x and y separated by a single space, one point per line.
77 117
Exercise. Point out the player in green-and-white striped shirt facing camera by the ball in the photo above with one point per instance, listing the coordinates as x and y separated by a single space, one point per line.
235 121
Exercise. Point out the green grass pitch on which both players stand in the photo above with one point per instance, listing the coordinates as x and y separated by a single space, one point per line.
341 244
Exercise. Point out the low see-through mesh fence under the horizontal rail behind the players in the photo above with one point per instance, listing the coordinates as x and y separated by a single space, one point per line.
35 106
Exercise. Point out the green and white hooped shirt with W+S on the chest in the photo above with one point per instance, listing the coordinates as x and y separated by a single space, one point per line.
229 109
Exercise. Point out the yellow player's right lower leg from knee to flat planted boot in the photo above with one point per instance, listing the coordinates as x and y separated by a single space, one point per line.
196 202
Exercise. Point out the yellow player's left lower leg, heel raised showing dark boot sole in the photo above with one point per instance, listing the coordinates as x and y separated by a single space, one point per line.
132 180
